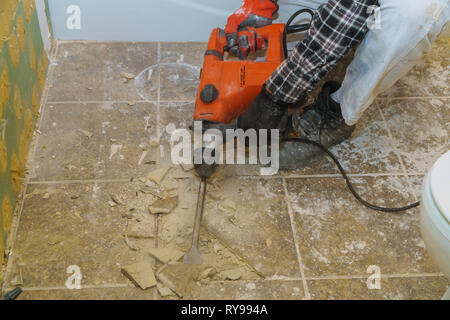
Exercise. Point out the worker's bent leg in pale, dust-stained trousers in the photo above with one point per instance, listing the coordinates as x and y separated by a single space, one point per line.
408 29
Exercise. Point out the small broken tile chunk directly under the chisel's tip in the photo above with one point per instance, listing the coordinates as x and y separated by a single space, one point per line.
176 277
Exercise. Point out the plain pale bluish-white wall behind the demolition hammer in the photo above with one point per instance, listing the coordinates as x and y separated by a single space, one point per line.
149 20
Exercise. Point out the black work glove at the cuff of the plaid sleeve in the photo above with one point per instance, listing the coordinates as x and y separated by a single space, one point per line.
264 113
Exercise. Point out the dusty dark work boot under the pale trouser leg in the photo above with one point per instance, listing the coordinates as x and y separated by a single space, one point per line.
321 122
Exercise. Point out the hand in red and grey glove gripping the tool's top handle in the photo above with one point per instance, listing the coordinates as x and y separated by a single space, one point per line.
253 13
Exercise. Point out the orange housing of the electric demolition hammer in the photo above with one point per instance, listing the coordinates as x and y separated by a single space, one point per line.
228 87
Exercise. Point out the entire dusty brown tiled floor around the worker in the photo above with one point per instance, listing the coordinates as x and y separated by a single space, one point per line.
296 235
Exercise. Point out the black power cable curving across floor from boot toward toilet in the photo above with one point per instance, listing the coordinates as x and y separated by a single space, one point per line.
347 180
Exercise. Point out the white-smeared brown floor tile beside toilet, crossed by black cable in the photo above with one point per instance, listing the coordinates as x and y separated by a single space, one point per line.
338 236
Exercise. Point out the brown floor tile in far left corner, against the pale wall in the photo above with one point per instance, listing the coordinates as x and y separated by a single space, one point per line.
91 71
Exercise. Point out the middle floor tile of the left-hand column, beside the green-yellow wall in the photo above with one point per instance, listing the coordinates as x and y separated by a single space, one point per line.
95 141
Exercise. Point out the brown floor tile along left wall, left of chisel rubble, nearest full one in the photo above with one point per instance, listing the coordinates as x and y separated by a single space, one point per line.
74 224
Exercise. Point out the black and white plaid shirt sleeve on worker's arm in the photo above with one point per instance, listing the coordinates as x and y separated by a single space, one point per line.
337 27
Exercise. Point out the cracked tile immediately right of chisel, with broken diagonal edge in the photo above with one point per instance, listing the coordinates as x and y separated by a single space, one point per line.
249 216
